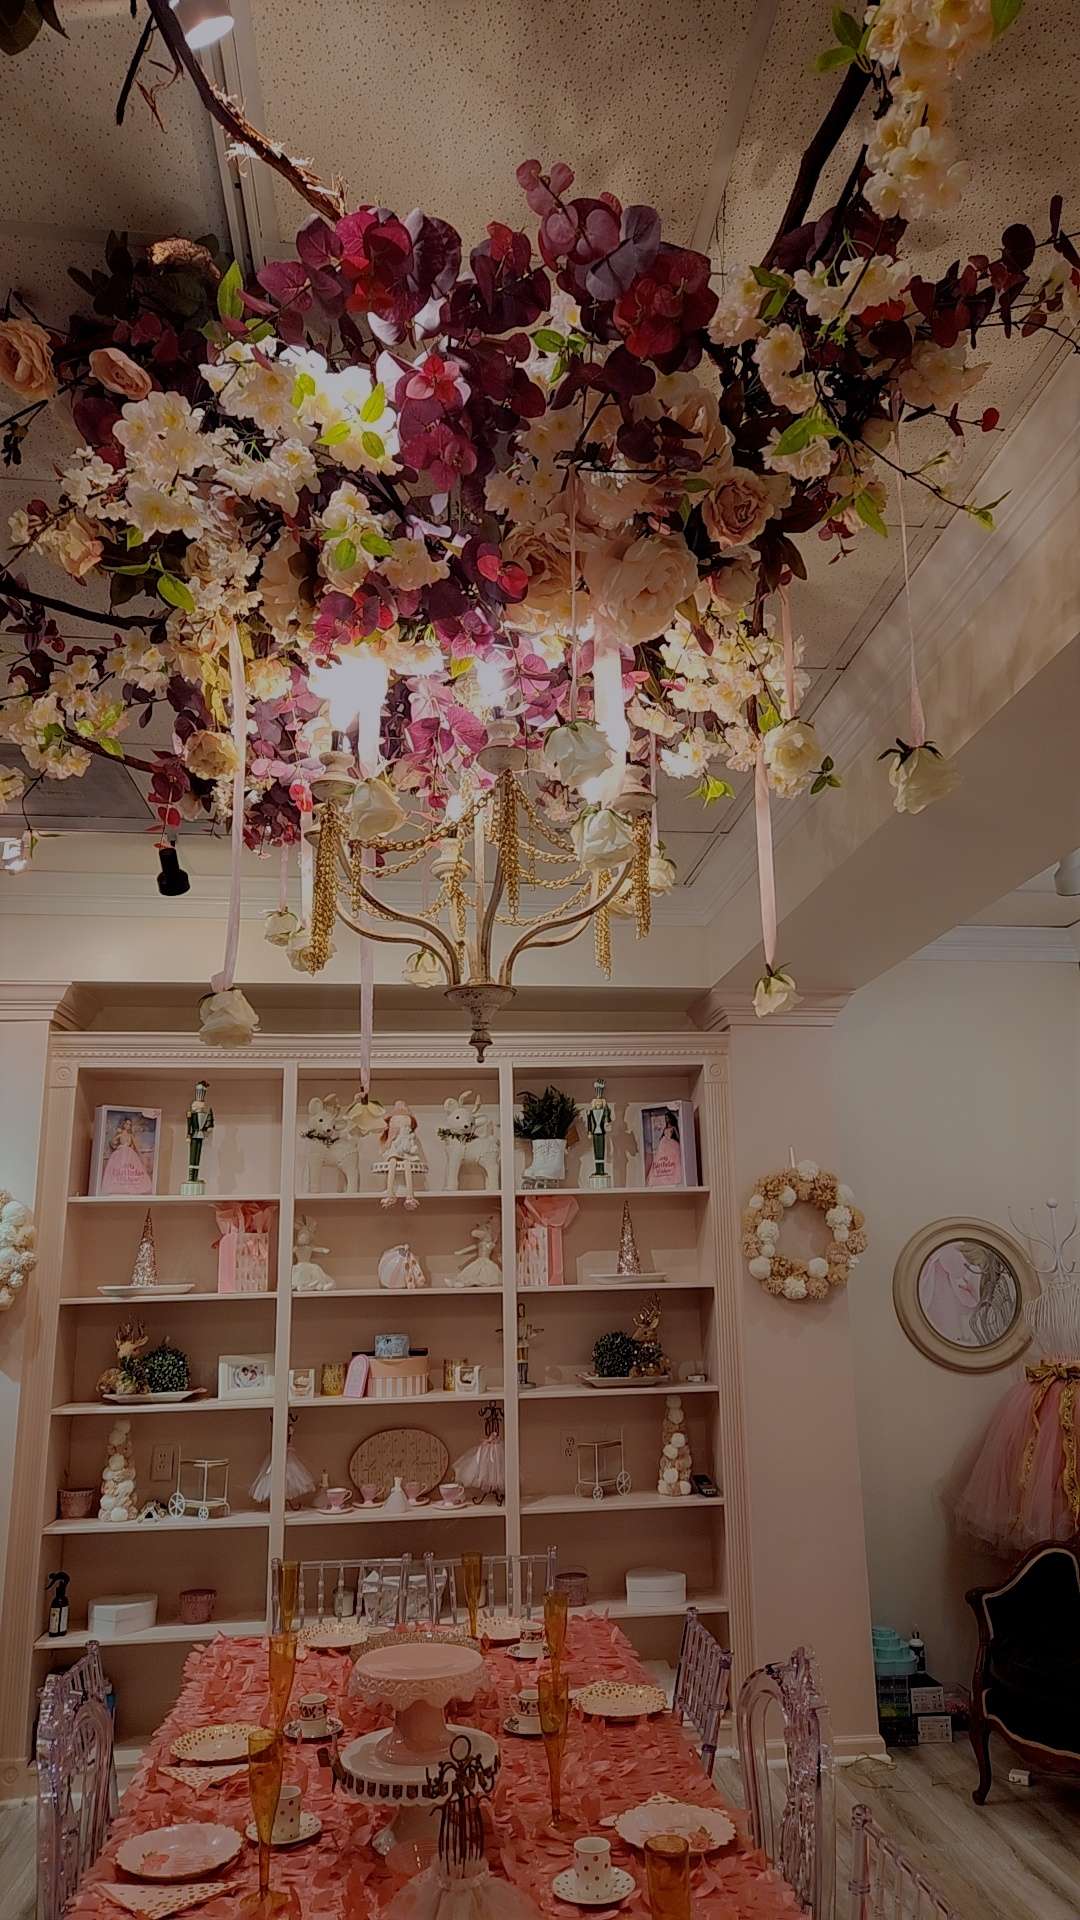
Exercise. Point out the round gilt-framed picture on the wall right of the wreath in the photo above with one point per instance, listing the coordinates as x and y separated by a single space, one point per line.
960 1291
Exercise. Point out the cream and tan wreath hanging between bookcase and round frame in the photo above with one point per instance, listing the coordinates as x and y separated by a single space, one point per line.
802 1280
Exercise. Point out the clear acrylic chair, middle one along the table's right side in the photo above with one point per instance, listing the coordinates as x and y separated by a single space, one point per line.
798 1836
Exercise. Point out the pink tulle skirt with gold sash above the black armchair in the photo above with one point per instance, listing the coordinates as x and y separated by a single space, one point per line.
994 1506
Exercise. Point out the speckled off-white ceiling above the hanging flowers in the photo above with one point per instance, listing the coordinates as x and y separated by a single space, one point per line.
700 107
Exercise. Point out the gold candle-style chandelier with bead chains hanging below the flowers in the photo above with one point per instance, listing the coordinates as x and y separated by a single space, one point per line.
485 859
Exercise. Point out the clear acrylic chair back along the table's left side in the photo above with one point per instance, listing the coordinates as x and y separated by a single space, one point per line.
76 1779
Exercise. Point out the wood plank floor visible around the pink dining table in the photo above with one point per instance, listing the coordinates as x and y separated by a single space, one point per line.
1014 1860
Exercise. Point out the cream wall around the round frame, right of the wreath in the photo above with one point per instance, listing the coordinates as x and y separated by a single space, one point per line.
956 1093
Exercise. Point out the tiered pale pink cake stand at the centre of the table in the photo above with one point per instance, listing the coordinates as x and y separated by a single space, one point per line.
391 1767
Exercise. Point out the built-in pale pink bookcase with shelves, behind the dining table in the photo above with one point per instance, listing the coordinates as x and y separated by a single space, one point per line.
255 1155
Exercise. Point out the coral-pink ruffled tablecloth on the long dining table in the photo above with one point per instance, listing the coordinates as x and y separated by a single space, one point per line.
608 1767
